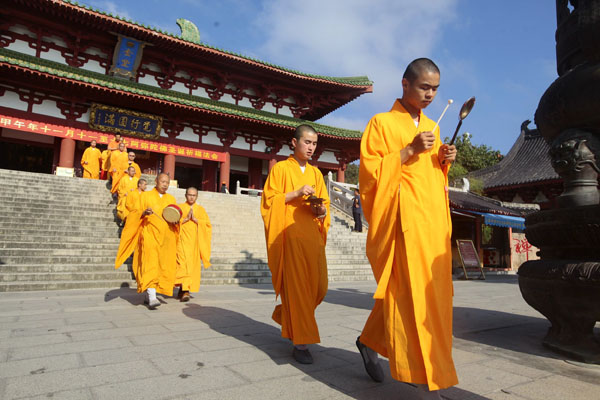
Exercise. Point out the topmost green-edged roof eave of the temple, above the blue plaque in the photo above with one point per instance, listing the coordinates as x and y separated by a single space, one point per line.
145 32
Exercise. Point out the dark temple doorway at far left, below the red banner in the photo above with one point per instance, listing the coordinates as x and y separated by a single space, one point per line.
26 157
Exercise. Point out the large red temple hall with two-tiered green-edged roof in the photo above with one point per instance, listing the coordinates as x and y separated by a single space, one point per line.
70 74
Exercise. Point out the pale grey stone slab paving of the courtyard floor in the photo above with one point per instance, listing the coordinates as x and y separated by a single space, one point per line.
104 344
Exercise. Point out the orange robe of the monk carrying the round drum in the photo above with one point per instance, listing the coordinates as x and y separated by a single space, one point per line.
154 242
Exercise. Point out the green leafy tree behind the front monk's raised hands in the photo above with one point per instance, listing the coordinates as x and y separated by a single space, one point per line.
471 158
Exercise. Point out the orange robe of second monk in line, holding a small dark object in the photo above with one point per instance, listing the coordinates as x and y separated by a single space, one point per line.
296 249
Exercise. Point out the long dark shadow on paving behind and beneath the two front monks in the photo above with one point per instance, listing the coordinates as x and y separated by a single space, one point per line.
339 369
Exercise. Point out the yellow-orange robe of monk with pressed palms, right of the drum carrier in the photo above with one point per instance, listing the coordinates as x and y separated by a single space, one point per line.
193 248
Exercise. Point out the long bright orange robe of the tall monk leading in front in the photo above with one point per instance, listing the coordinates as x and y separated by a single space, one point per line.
408 246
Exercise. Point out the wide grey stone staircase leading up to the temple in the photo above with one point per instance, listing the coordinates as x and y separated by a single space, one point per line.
61 233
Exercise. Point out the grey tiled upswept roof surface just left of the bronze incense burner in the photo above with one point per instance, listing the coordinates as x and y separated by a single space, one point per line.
527 162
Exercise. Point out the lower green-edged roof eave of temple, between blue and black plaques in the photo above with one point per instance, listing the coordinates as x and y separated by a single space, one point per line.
54 70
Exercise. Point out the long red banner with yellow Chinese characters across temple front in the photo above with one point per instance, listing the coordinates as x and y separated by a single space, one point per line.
42 128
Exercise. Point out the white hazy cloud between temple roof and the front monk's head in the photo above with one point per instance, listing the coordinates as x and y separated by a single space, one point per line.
354 37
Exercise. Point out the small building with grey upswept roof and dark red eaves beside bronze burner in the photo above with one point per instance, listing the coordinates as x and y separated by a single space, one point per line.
525 174
